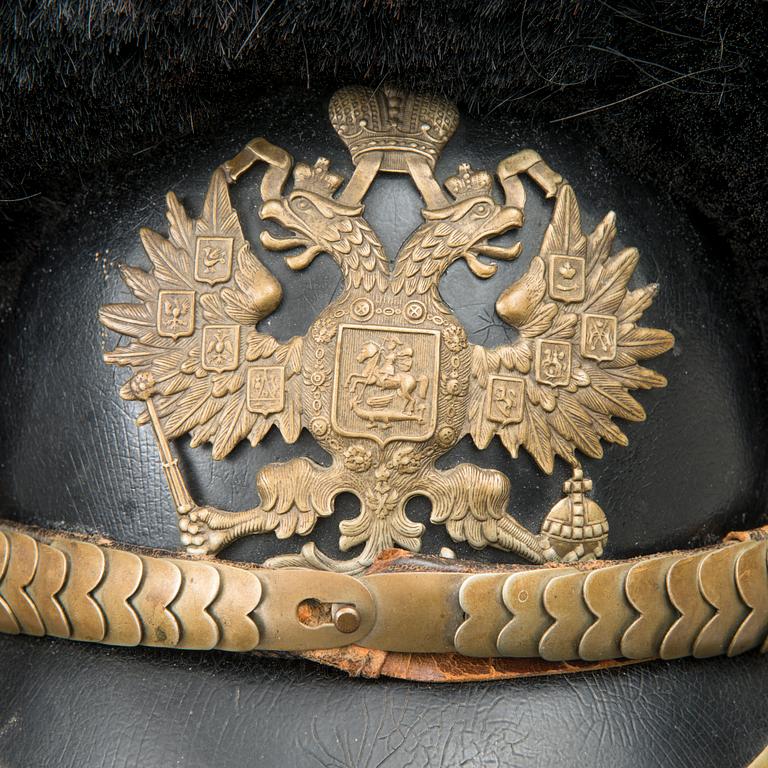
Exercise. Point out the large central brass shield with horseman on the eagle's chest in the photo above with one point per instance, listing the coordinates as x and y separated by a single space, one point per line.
385 383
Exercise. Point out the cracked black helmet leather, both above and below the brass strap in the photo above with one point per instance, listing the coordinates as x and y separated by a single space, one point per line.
73 459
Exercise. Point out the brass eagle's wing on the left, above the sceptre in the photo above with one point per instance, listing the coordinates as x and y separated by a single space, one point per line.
194 331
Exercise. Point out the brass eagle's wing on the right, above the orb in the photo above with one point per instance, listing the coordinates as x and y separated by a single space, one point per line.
577 356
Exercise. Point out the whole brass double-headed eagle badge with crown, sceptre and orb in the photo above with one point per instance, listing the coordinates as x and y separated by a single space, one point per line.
385 379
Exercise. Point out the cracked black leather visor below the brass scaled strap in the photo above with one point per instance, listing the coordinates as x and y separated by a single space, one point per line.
69 705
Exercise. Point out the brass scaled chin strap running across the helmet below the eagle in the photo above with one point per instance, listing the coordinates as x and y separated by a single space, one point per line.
703 603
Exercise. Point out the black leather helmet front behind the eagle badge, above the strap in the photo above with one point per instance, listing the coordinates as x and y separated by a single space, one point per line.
691 473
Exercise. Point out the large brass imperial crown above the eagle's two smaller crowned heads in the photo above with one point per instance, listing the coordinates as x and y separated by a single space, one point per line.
393 122
